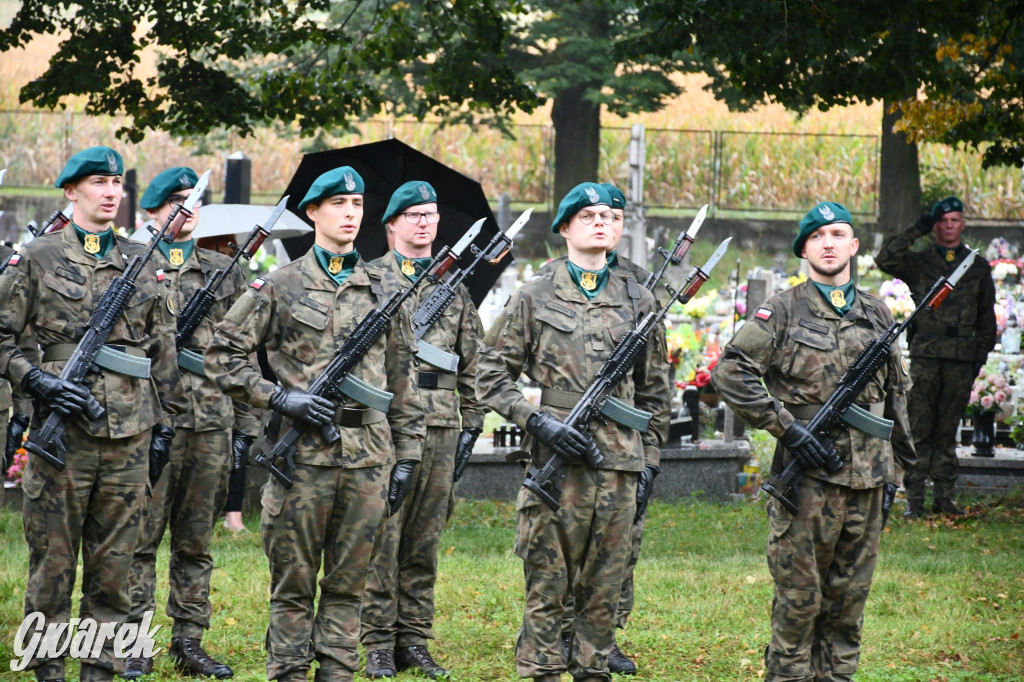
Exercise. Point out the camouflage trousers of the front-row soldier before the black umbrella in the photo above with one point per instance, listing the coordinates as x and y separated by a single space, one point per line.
331 514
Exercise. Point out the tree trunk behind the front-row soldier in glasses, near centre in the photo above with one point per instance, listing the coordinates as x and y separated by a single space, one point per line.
578 140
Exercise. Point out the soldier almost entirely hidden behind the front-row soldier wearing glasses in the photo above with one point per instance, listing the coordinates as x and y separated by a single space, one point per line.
619 663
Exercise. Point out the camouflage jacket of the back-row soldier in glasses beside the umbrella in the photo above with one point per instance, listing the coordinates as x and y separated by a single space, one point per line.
459 332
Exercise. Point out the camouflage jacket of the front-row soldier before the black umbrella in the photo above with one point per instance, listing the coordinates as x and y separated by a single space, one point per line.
303 318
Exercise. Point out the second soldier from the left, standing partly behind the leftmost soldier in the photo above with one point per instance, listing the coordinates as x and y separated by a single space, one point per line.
191 492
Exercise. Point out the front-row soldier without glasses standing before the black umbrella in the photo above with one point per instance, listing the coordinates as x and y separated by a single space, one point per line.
303 314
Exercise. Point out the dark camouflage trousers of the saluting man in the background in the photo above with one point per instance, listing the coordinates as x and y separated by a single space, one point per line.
936 404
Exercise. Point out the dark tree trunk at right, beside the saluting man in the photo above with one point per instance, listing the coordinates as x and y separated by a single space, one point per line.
900 178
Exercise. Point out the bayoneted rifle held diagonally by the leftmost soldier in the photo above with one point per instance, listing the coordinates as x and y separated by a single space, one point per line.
108 312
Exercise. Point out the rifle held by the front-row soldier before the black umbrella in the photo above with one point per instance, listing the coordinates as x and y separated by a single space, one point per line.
335 381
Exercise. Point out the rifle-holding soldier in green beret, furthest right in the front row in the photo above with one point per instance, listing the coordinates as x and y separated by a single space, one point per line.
776 373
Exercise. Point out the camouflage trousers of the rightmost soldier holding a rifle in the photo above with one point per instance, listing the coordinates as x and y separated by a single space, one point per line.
822 561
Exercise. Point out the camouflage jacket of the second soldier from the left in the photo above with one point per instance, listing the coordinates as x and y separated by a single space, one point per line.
208 408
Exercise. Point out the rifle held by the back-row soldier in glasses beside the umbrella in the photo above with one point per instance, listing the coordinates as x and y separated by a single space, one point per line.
435 306
